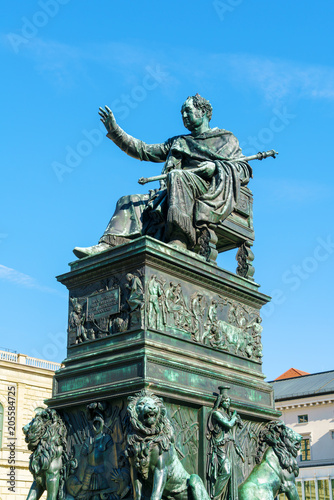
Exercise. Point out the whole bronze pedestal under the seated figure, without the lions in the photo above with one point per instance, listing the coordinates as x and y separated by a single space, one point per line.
146 315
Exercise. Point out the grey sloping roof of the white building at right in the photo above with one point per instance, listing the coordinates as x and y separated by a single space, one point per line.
306 385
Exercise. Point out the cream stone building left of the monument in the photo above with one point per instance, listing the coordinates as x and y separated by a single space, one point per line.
25 383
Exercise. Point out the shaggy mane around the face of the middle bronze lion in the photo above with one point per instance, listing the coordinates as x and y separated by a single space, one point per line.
141 439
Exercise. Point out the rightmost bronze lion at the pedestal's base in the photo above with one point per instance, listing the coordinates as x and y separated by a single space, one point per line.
277 470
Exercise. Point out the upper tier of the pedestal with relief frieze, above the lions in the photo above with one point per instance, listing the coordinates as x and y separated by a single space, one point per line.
163 340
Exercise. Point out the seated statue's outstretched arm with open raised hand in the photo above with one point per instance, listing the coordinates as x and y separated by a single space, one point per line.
130 145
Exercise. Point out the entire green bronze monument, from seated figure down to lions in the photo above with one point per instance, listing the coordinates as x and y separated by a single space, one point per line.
151 316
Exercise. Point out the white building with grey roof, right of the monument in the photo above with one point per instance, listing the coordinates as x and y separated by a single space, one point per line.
307 405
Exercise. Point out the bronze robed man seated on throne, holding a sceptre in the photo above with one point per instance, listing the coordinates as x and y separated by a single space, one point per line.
203 183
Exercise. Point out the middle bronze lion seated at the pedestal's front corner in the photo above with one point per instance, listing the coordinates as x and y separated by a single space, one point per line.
156 471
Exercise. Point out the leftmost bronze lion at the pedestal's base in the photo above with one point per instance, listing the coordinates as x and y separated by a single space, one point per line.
49 462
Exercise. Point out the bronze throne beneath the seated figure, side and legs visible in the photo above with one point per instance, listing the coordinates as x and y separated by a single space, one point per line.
236 231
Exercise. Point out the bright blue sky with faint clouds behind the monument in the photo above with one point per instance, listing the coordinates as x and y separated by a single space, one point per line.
268 70
